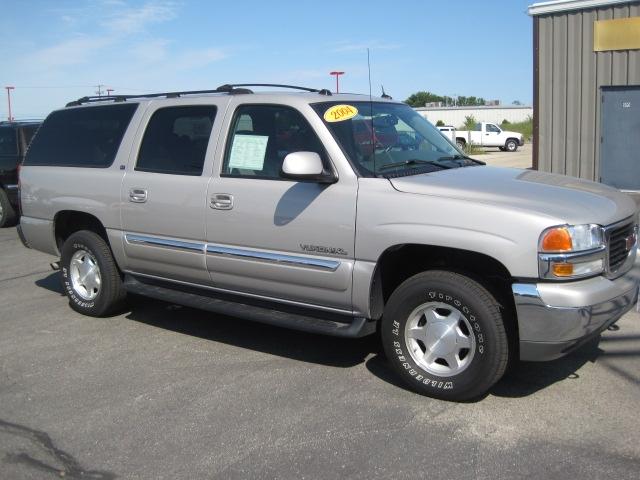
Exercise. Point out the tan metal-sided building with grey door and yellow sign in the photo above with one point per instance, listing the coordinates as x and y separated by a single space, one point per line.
587 90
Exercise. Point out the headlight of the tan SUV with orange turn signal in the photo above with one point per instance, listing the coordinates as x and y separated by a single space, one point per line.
571 251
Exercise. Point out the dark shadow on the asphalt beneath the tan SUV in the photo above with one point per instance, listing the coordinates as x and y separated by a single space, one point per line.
522 379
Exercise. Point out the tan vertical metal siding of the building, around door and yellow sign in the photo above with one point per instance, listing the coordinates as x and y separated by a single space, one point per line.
569 79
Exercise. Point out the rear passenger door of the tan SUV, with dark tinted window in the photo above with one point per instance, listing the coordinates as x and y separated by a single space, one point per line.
163 193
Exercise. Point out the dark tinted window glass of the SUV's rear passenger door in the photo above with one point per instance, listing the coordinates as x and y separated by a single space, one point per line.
176 140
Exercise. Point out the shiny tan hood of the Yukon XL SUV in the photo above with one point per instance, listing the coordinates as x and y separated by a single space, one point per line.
564 199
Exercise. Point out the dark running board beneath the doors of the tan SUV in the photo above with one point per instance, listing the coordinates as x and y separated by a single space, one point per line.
350 327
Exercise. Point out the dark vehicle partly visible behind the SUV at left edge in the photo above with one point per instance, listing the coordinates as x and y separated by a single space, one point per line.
14 140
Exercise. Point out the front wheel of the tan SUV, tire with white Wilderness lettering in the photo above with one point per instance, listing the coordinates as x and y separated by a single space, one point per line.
417 336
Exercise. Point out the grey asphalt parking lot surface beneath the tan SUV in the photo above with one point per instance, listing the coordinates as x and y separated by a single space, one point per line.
164 392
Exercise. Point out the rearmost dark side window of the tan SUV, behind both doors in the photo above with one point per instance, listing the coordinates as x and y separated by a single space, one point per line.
81 137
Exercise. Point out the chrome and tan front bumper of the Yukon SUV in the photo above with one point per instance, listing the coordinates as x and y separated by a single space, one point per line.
555 318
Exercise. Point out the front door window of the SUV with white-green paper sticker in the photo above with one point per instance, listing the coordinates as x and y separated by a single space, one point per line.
262 135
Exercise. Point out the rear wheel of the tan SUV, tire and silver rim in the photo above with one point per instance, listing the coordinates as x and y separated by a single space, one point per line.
90 276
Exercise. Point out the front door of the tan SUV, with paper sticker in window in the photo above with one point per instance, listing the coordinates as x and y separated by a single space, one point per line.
272 237
